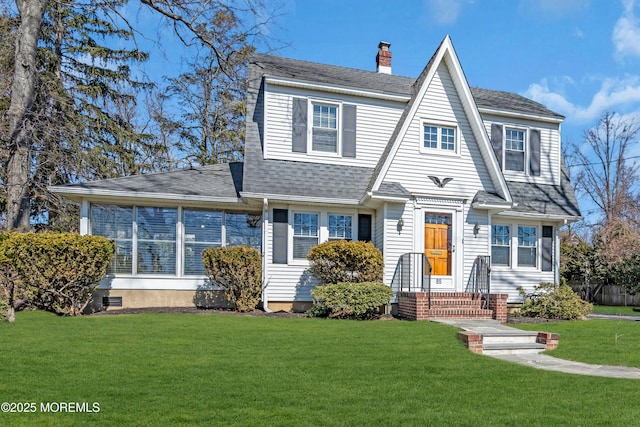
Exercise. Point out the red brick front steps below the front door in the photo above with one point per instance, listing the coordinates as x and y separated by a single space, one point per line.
451 305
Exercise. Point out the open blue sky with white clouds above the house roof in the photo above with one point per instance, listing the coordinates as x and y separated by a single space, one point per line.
578 57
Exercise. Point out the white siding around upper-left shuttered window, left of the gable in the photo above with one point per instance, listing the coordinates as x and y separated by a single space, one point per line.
375 122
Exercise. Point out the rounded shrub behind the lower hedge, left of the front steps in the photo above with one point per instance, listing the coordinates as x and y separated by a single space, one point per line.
338 261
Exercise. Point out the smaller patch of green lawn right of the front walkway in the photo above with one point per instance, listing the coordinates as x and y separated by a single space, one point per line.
604 342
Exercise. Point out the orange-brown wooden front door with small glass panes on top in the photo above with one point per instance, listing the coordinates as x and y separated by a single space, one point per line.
437 242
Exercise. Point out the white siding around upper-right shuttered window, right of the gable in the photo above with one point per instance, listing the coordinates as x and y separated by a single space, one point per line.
549 148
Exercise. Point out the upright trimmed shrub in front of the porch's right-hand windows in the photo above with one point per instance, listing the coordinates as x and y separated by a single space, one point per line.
238 270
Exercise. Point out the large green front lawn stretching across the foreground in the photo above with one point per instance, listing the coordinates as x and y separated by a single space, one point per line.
218 370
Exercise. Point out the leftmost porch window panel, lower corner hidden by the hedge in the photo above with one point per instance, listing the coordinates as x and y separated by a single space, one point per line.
115 223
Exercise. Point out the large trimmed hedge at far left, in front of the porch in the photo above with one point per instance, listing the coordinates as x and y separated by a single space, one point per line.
58 271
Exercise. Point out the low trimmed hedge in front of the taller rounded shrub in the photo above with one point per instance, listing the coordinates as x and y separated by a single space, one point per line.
350 300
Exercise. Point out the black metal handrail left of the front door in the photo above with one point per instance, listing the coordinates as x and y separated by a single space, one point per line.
413 274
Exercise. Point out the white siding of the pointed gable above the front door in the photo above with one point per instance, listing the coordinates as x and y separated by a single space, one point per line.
411 166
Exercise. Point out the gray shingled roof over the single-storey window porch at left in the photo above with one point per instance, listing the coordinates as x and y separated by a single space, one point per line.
215 181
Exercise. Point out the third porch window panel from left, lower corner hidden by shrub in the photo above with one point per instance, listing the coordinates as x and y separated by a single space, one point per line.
202 230
